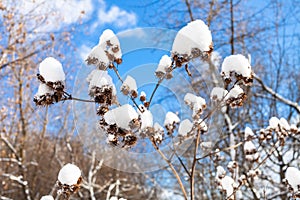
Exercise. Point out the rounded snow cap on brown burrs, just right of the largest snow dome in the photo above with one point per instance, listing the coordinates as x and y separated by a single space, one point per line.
238 64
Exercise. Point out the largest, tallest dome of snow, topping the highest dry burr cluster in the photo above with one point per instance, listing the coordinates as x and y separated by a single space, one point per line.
195 34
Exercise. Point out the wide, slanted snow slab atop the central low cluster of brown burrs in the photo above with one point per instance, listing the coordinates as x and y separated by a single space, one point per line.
121 116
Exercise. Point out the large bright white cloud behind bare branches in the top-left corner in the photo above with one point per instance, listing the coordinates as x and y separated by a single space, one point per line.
46 15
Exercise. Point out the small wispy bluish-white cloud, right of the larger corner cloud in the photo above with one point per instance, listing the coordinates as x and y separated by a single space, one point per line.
115 15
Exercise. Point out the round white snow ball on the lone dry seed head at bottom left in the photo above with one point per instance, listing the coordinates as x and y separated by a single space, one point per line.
69 174
